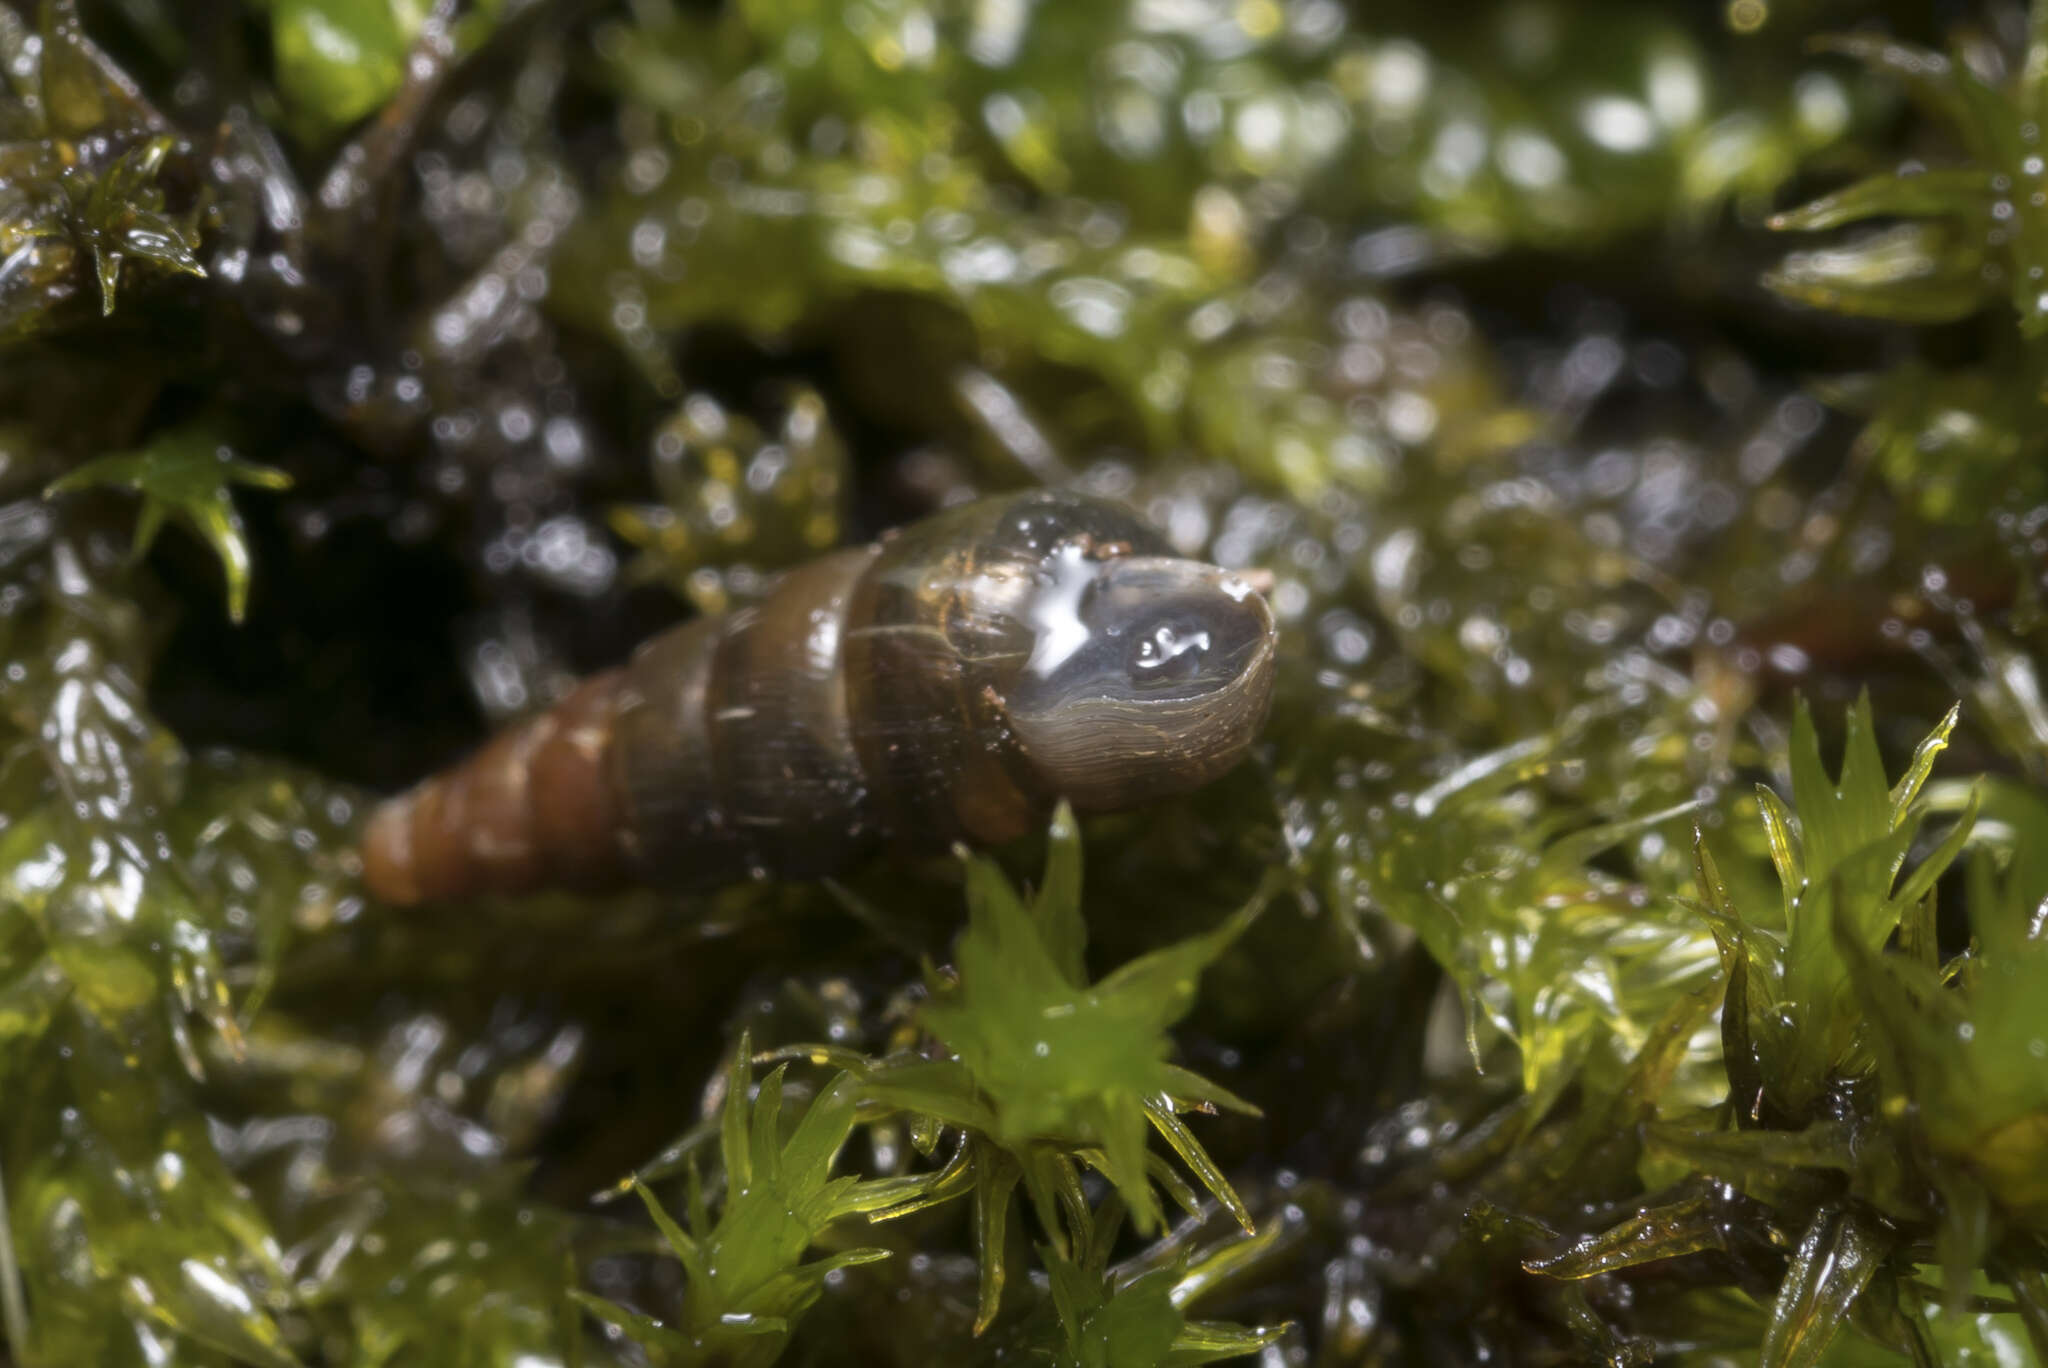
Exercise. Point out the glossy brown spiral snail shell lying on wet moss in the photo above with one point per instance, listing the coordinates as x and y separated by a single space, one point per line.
949 683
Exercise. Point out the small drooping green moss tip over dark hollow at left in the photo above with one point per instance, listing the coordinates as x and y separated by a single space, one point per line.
187 474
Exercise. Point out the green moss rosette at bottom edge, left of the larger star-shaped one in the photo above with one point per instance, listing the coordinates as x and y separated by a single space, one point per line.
746 1281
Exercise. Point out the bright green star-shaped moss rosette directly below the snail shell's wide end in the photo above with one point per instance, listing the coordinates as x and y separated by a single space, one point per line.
1048 1074
